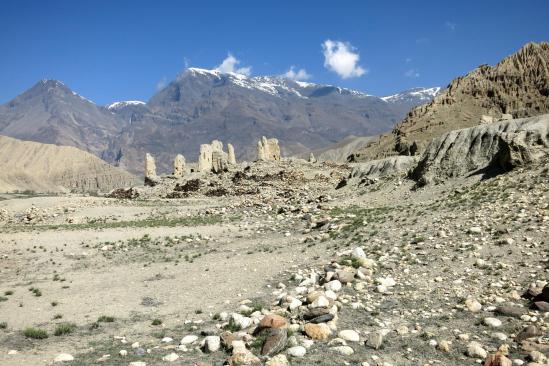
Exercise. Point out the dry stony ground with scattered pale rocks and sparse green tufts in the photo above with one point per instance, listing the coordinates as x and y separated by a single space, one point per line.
270 264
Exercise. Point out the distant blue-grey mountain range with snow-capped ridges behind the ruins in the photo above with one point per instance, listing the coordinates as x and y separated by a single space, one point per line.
199 106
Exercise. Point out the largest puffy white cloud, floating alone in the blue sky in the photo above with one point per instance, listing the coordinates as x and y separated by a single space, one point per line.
342 58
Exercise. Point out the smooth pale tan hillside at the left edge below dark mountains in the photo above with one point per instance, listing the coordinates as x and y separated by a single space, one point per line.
27 165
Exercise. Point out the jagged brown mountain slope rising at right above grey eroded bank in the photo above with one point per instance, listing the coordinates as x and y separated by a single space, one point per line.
518 86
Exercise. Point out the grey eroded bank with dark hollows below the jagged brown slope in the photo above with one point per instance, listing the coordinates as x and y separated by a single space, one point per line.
502 145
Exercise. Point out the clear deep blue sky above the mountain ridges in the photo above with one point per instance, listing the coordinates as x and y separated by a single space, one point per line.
125 50
